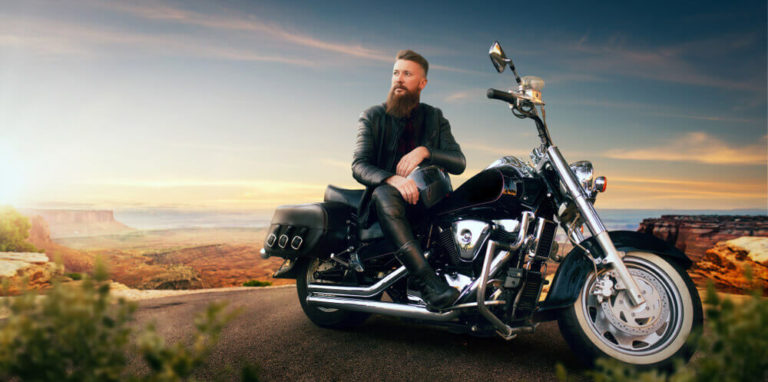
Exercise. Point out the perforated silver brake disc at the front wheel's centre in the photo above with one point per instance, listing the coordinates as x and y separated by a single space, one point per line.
643 319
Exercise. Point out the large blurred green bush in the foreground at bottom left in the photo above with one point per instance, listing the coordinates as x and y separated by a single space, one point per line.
76 333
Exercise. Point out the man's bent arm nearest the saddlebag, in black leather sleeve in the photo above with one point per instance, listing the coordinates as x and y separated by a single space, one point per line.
363 169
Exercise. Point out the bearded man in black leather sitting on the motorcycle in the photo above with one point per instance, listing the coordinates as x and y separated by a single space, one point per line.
392 140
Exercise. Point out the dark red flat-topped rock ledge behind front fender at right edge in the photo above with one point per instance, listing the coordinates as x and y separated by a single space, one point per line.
695 234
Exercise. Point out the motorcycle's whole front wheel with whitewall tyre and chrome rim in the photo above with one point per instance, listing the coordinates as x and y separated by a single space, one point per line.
651 335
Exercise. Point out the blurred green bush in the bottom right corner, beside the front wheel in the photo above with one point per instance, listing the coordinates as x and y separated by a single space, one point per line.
735 347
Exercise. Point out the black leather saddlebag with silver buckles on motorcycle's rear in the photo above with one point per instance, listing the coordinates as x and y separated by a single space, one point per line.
314 230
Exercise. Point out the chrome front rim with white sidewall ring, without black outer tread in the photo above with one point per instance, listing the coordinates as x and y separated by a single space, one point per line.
631 330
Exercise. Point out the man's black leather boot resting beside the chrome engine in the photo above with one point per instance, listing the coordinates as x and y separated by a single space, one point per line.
434 290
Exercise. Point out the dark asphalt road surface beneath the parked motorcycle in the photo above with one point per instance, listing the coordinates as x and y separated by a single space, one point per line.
273 333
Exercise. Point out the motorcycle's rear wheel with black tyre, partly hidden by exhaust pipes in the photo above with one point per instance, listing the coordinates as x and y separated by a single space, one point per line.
324 317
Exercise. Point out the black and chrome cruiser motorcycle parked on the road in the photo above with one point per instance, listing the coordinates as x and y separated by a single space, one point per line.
619 294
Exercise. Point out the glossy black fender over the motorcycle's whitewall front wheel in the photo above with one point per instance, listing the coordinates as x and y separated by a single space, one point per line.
573 271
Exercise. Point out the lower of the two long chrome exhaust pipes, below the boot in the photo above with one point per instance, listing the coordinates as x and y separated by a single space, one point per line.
378 307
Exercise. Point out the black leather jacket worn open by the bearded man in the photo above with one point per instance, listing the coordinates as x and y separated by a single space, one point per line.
376 147
